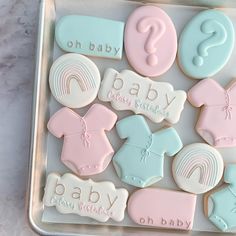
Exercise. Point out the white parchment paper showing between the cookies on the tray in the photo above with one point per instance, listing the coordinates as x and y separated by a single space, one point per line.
120 10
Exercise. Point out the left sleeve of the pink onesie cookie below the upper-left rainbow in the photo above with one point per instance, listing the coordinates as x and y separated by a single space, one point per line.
57 123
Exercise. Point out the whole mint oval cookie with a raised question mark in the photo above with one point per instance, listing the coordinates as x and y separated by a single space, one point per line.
206 44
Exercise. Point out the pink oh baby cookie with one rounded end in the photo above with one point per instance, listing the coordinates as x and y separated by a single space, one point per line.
162 208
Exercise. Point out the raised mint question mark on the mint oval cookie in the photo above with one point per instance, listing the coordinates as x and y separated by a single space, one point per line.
218 37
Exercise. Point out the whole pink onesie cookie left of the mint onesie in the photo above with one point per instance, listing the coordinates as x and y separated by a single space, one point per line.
86 149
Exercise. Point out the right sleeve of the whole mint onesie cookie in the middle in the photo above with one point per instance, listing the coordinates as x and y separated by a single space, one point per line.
172 141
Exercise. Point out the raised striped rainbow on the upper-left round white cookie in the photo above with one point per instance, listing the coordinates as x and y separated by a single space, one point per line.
72 70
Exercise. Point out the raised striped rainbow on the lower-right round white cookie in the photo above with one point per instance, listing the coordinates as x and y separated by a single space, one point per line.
200 159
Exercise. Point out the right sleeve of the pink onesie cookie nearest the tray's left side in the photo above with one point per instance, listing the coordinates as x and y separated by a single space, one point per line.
104 116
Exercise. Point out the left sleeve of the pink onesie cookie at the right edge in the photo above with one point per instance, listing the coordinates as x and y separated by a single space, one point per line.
199 94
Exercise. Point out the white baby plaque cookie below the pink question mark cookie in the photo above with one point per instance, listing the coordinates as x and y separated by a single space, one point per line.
129 91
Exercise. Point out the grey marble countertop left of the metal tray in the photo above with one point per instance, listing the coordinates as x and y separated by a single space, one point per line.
18 31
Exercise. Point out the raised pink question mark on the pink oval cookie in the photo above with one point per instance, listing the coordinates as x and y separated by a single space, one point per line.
156 29
